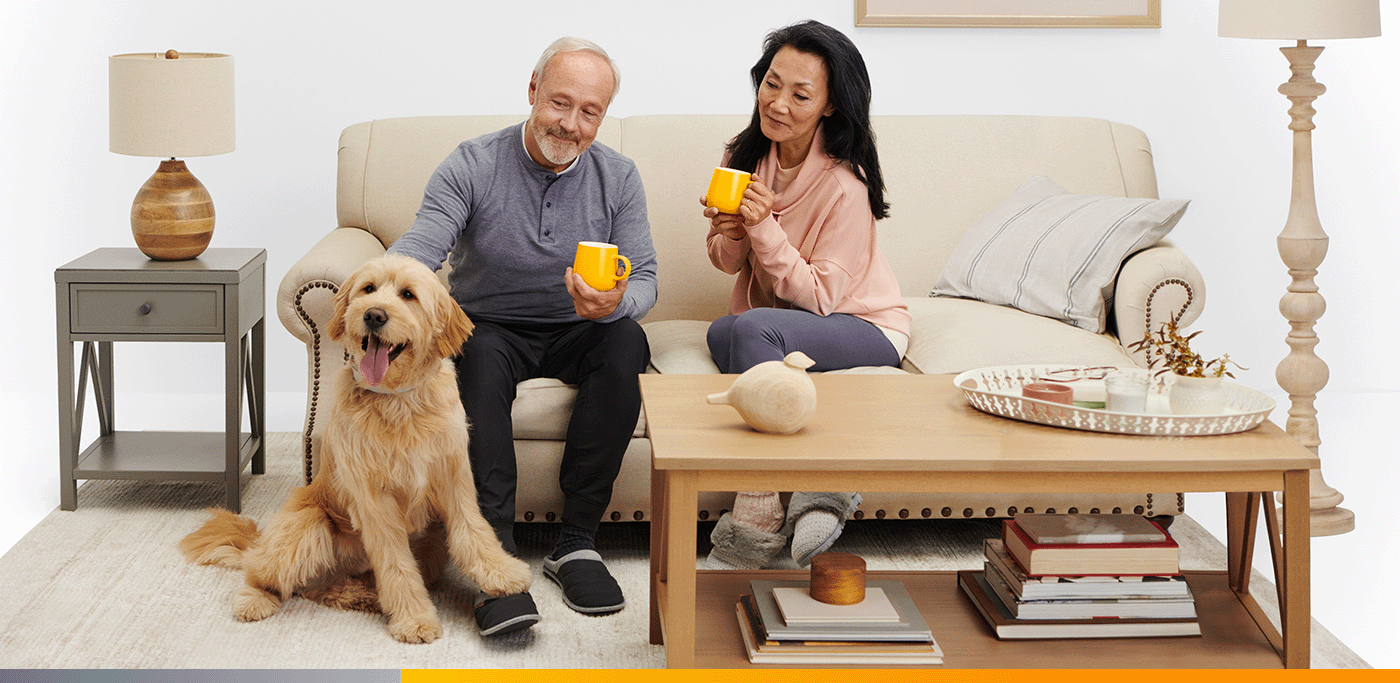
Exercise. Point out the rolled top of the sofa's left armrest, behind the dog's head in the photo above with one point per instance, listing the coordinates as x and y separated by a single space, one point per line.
304 296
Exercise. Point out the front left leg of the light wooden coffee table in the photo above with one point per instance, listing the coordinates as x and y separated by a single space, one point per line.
682 502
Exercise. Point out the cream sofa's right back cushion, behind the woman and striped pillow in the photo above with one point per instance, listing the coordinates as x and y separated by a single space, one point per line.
943 174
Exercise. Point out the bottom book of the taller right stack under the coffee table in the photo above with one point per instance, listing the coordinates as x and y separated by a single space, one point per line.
1009 628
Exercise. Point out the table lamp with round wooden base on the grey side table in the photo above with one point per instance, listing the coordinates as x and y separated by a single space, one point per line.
171 106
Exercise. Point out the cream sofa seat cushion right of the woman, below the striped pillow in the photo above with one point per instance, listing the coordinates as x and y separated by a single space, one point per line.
953 335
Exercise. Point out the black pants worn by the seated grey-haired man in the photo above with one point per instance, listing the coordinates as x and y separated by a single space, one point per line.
601 359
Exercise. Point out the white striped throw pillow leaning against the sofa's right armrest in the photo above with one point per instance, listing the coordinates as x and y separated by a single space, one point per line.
1053 254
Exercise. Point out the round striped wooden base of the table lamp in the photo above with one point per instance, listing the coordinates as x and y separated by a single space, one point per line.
173 218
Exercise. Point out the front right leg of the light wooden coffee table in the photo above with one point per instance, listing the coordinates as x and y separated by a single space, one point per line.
1296 583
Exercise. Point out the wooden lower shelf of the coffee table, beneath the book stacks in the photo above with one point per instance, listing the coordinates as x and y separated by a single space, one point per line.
1235 633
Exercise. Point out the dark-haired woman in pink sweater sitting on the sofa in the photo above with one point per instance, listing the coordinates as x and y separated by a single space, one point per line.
810 274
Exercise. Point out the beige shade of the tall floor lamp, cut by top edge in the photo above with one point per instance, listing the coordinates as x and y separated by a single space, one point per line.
1300 20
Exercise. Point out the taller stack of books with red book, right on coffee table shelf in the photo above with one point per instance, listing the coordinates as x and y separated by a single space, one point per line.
1083 577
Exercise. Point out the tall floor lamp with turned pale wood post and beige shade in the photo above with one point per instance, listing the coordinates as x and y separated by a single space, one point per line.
1303 244
